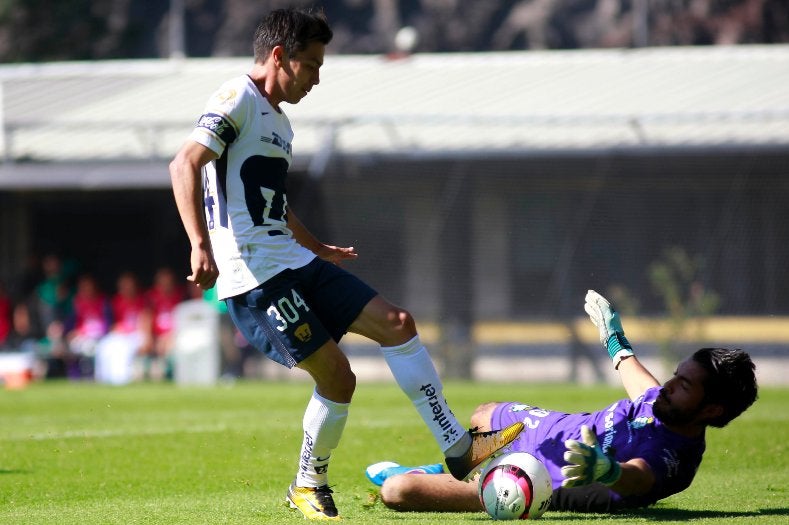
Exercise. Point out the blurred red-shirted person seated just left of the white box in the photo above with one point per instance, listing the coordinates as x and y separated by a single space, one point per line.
162 298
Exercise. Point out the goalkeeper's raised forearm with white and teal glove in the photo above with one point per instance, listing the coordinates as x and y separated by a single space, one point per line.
635 377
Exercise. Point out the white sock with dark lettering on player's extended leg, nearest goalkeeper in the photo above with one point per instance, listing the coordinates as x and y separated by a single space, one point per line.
414 372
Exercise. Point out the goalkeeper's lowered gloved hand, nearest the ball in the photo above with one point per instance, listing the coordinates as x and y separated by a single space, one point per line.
588 463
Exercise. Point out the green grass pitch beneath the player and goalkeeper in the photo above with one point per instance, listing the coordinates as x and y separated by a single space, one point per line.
163 454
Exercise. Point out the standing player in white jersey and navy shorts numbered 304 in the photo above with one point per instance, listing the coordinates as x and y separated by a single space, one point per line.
283 287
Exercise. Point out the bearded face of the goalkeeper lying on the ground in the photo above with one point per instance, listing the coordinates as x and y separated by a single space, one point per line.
680 399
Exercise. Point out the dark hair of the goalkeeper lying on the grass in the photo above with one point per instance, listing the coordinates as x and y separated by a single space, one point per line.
730 381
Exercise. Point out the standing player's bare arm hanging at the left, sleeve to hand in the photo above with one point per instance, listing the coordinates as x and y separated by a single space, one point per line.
185 174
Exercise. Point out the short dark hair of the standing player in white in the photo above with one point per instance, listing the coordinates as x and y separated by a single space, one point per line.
293 29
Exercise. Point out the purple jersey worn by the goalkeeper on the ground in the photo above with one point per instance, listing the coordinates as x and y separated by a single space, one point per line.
627 428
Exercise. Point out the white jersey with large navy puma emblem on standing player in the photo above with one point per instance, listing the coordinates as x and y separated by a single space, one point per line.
244 189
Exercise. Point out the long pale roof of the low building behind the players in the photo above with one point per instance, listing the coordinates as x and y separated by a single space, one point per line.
74 118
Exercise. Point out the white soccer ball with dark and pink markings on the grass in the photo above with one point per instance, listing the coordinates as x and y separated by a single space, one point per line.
515 486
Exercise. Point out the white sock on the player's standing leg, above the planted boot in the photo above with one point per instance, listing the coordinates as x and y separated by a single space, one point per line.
323 424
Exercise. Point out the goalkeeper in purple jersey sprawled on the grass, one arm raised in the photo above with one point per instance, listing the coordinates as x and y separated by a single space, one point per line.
630 454
